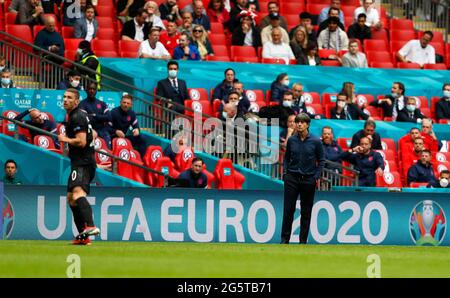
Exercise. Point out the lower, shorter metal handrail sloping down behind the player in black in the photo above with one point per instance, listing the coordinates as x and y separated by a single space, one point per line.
113 157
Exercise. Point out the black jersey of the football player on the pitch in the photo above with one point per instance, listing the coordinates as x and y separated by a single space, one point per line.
79 122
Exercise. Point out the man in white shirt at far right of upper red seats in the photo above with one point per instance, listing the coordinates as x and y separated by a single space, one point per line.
418 51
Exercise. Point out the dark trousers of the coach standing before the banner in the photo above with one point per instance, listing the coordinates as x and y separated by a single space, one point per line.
295 185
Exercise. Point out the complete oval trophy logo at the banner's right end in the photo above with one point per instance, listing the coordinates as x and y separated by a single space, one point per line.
427 224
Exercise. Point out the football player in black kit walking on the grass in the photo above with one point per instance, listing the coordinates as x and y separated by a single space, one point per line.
79 137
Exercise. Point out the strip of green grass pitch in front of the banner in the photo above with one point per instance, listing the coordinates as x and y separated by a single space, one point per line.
196 260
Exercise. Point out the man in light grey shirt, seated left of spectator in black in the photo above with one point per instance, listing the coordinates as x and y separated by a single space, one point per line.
333 37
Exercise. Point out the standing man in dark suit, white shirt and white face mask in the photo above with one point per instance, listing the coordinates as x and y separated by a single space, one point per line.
172 88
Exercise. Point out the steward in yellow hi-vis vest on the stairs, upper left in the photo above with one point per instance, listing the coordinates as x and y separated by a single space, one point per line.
87 58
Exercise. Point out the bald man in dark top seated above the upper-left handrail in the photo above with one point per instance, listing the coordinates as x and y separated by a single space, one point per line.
49 39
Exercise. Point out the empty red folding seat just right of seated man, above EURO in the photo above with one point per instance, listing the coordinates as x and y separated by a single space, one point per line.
226 176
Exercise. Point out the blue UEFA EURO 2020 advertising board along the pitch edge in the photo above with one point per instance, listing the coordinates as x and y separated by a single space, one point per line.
132 214
